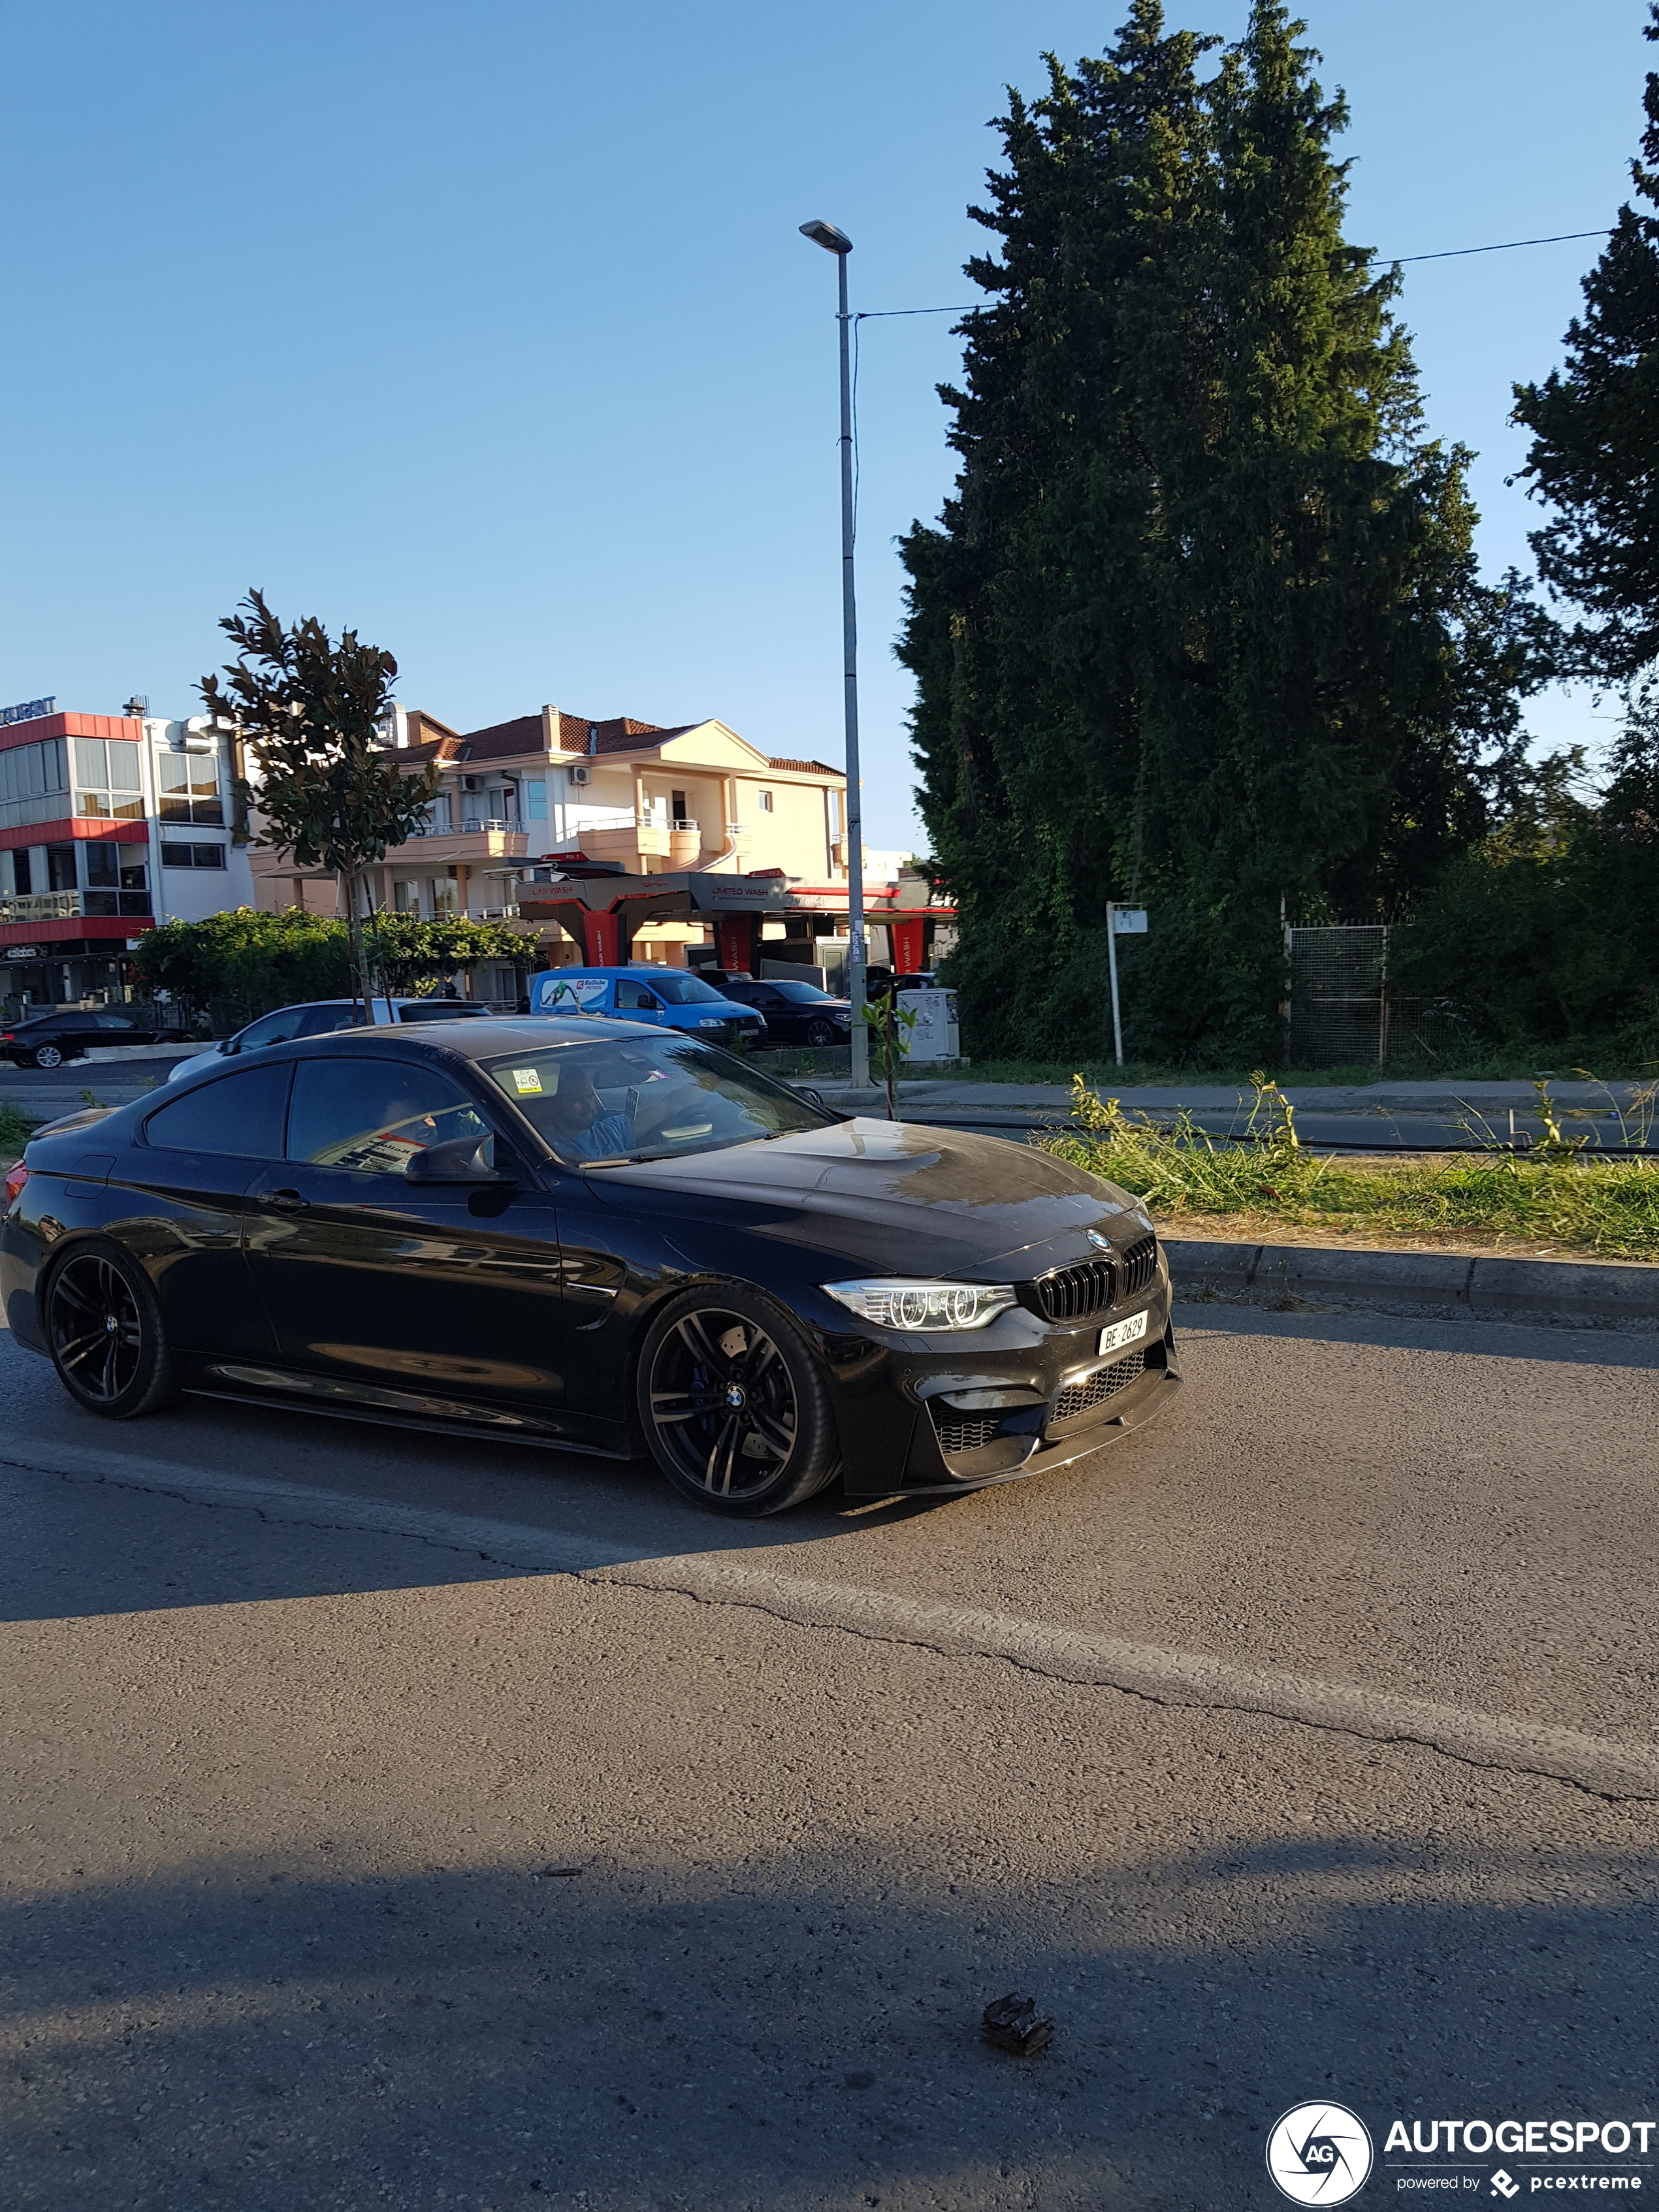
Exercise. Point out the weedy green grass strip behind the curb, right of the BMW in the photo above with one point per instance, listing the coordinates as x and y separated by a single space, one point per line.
1605 1207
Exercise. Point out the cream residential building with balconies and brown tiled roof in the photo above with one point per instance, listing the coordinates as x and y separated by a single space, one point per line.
534 795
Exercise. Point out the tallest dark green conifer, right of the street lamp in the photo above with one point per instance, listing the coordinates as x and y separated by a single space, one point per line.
1202 623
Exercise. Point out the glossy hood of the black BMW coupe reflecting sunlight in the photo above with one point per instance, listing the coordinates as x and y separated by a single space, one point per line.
893 1196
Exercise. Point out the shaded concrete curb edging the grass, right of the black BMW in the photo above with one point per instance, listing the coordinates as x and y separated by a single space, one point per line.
1450 1286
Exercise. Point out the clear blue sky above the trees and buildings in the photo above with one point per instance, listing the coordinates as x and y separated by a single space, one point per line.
488 328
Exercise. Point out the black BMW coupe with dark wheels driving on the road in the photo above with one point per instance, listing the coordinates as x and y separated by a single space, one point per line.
598 1238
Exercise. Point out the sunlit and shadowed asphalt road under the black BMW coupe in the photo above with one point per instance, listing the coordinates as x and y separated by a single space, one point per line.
415 1824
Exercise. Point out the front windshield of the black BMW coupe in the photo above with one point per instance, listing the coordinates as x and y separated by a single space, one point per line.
656 1098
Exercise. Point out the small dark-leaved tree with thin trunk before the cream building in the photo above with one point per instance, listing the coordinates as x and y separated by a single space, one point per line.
311 713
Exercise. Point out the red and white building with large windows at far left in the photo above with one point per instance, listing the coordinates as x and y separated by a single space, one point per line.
107 826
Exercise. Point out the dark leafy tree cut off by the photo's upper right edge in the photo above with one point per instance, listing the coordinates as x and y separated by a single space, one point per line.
1596 439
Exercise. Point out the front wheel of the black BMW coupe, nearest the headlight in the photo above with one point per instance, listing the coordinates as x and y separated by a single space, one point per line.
735 1406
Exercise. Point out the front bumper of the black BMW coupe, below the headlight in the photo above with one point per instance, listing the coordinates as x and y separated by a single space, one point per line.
904 1434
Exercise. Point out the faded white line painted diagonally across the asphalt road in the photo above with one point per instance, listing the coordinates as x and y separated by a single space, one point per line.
1076 1656
